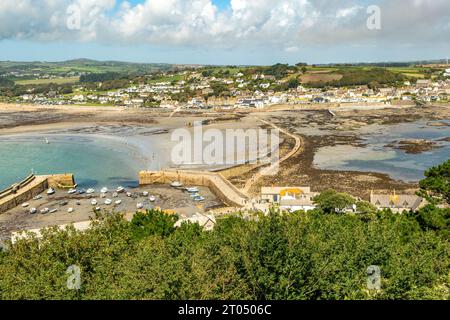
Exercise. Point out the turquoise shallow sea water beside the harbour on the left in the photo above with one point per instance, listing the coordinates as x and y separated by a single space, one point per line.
95 161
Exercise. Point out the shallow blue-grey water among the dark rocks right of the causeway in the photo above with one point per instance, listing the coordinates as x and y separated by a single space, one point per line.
375 156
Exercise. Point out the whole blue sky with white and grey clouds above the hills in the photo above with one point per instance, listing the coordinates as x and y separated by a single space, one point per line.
225 31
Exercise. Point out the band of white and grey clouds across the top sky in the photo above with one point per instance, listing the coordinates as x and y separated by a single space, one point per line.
286 24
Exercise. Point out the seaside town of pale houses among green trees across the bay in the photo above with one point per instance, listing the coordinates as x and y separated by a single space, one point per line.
229 88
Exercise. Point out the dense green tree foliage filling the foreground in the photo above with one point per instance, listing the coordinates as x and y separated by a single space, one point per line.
322 254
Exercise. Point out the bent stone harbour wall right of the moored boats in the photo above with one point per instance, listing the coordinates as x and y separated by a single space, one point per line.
220 186
